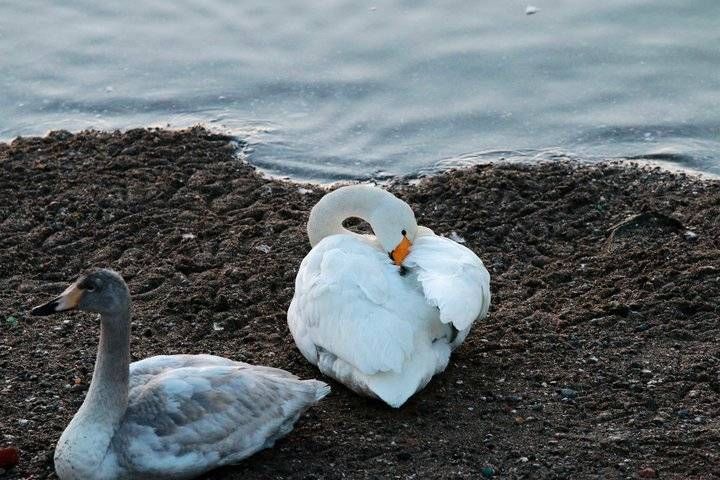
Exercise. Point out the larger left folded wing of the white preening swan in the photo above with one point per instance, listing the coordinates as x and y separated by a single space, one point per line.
341 293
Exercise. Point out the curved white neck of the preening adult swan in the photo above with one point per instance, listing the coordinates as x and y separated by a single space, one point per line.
328 214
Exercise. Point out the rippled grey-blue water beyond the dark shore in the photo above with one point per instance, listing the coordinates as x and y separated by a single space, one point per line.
346 89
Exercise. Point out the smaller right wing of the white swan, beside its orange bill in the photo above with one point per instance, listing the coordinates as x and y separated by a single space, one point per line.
453 278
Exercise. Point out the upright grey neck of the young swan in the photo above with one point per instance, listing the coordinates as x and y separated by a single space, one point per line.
86 441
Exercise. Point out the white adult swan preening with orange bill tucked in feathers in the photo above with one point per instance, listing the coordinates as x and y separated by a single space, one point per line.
382 313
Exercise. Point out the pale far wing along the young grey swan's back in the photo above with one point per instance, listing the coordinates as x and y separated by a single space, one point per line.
144 370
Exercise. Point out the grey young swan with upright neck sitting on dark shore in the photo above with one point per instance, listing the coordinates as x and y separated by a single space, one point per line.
170 416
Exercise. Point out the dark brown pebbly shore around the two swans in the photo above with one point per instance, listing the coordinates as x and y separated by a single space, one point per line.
600 357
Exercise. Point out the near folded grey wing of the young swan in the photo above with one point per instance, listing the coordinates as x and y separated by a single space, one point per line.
189 420
